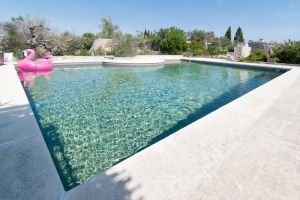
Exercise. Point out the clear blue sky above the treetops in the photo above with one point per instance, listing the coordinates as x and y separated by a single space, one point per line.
276 20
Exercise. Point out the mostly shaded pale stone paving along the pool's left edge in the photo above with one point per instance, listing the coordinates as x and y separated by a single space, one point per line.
26 168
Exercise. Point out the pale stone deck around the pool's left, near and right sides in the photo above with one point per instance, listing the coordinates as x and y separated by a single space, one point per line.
247 149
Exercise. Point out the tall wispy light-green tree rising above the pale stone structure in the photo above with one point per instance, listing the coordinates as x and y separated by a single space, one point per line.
108 29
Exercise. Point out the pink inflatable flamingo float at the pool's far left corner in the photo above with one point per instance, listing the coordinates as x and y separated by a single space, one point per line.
27 64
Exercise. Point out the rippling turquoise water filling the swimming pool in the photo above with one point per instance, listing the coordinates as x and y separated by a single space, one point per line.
92 117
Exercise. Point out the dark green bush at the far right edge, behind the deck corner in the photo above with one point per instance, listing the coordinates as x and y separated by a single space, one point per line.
288 53
